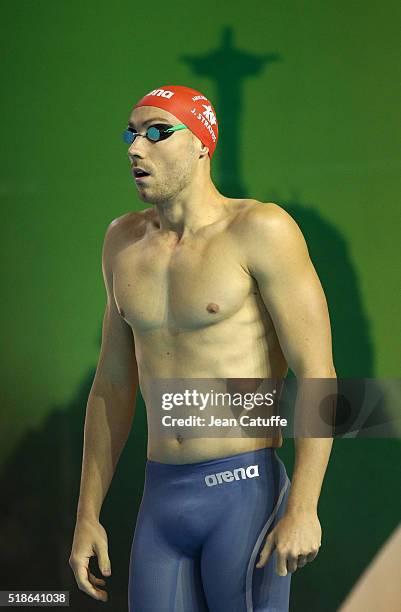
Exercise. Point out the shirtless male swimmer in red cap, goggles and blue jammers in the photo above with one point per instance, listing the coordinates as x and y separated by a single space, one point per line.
202 286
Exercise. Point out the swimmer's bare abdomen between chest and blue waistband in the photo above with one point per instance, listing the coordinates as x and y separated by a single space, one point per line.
185 444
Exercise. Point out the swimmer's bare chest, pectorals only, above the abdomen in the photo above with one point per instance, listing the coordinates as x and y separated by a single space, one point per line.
161 283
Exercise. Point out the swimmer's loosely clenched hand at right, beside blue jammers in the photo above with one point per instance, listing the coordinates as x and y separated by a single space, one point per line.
296 538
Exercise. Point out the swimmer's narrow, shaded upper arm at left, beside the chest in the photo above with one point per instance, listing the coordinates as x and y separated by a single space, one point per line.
117 363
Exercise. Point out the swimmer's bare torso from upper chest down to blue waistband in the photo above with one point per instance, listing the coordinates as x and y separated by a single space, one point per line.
187 303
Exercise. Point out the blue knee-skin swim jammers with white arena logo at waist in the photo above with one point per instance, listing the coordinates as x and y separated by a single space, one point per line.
199 532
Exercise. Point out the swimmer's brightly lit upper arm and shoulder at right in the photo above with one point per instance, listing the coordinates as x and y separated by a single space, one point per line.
278 259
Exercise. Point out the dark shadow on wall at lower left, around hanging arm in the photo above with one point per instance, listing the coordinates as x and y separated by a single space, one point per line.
40 487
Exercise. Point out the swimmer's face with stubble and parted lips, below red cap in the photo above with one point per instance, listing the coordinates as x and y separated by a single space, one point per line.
170 162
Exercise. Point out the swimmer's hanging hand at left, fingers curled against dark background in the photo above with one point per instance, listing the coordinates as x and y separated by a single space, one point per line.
90 539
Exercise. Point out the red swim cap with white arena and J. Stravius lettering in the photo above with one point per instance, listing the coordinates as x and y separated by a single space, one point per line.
190 107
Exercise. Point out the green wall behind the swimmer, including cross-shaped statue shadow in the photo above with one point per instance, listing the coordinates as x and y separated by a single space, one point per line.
308 104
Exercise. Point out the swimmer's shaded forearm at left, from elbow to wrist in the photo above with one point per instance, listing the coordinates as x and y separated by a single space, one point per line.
108 422
